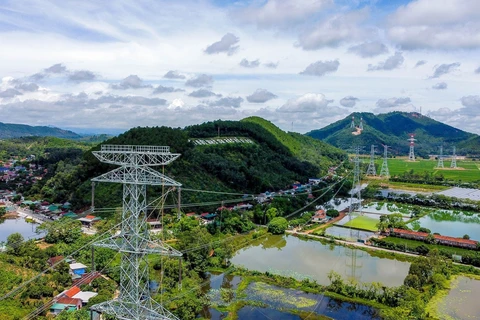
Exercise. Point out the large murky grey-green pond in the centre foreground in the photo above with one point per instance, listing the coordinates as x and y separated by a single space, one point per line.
299 258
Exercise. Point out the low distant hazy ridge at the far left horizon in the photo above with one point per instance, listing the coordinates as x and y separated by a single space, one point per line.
10 130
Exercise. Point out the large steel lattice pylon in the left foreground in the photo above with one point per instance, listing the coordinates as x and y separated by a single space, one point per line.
133 242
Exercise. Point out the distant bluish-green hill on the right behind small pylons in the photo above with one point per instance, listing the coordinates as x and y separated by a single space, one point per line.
393 129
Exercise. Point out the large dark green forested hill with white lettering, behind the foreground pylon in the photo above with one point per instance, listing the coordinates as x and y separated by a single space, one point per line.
266 164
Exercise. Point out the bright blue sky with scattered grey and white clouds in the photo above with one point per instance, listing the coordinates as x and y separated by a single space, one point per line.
107 66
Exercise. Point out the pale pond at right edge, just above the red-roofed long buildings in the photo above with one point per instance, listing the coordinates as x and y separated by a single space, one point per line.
450 223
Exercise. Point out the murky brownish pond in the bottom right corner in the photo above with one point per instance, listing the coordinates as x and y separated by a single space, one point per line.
462 300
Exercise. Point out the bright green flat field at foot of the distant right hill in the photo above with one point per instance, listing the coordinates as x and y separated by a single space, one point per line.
471 170
